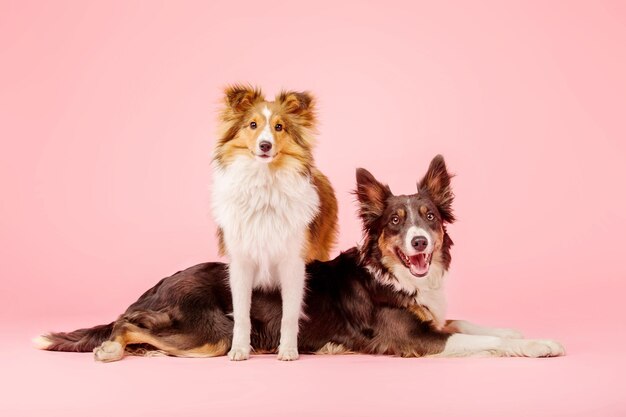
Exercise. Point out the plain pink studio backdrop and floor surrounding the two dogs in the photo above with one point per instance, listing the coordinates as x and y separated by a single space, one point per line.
108 120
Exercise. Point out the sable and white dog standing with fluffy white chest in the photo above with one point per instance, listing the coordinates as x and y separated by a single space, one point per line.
275 211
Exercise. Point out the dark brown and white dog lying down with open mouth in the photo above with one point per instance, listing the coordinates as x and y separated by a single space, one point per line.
383 297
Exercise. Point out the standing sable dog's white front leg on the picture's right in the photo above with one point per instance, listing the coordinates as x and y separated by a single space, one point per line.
292 277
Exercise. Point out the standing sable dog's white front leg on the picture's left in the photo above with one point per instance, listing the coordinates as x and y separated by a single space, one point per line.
241 273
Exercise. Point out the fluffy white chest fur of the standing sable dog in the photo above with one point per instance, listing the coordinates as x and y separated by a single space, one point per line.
263 213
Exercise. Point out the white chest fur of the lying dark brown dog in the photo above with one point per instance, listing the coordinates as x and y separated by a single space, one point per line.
429 290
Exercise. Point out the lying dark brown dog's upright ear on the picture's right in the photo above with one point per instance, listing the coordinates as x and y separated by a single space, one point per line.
436 184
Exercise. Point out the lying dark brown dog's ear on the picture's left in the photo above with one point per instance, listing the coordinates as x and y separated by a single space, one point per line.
372 196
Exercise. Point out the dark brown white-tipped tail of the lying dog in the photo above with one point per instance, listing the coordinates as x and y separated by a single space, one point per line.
81 340
